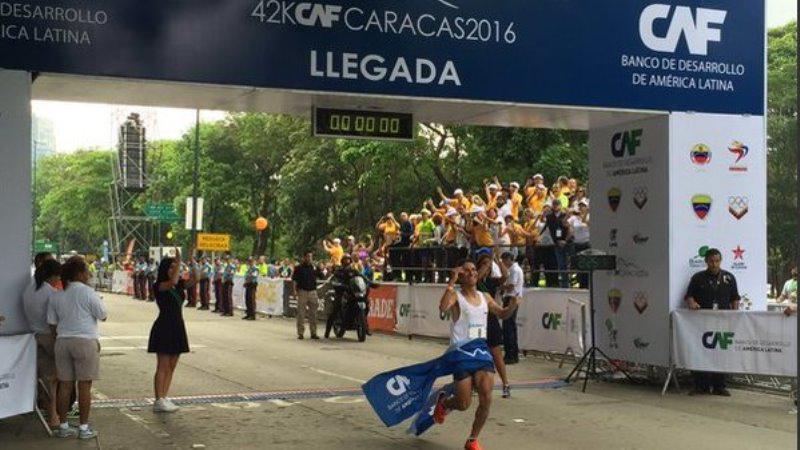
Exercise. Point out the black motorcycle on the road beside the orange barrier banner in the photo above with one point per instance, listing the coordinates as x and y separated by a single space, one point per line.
352 315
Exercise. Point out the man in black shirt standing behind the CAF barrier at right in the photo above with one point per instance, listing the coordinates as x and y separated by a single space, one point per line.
712 288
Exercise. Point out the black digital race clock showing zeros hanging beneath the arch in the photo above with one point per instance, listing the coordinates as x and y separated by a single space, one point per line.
352 124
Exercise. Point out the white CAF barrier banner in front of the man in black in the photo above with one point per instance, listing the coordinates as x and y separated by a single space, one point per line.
751 342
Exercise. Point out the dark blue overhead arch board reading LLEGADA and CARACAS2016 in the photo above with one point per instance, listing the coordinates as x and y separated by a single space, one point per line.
685 55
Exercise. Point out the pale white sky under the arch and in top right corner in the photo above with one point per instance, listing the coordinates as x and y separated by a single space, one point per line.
90 125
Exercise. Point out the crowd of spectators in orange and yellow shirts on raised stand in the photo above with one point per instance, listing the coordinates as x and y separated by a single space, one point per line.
541 226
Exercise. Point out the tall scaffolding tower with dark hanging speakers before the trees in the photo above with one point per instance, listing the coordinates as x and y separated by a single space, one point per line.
127 227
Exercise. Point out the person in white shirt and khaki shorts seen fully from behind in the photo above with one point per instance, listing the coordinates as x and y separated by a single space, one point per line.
73 316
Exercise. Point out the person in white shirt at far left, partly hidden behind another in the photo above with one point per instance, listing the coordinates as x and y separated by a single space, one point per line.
36 299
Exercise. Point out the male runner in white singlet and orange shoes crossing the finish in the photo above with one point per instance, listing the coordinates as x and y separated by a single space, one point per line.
469 309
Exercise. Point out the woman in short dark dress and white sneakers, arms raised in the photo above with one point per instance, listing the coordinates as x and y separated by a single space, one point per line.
168 336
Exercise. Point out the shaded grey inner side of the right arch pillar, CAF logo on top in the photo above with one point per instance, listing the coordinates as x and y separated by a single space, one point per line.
629 190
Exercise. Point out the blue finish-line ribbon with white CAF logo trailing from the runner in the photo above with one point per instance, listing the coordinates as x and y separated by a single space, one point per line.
402 393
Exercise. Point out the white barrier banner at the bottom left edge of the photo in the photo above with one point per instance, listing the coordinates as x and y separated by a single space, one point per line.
17 374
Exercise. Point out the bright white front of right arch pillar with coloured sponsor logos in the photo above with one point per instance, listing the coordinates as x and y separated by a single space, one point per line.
718 186
